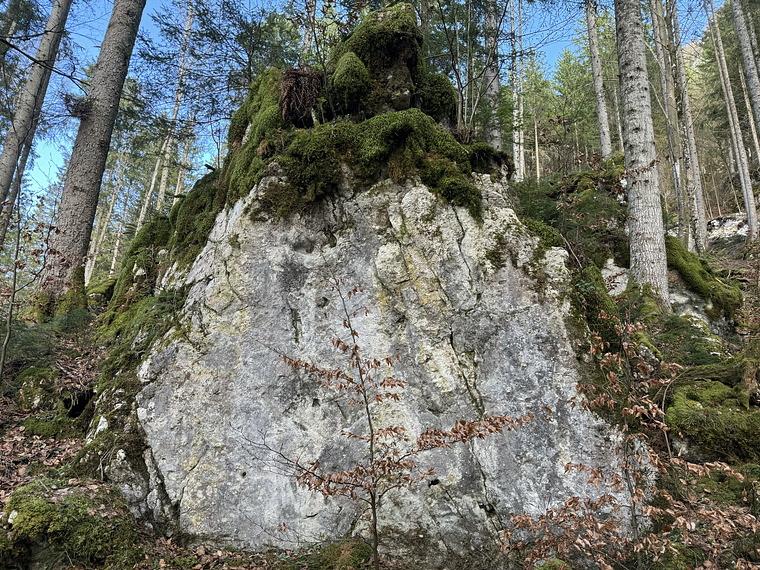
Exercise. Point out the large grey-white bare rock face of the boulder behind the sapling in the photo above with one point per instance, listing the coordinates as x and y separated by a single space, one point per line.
477 313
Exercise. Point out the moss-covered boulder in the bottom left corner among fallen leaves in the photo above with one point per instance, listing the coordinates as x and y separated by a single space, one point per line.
56 524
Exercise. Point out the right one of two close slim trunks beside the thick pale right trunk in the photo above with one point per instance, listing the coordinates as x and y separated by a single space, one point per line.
691 158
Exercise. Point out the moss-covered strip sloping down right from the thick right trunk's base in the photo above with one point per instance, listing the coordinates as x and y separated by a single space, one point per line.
725 298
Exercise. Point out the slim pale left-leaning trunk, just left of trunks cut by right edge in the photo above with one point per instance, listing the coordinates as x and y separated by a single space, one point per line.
737 142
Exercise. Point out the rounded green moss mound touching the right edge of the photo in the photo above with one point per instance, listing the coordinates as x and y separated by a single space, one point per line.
710 415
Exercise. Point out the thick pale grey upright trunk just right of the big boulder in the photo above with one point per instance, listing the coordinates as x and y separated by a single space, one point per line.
647 234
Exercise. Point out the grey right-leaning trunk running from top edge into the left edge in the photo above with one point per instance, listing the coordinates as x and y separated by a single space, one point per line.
30 102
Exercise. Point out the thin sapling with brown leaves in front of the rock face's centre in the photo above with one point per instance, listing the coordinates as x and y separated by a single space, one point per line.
390 452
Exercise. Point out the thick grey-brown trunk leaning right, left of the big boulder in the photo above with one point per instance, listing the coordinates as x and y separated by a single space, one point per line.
64 271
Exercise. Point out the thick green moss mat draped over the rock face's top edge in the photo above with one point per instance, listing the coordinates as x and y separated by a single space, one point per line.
400 145
